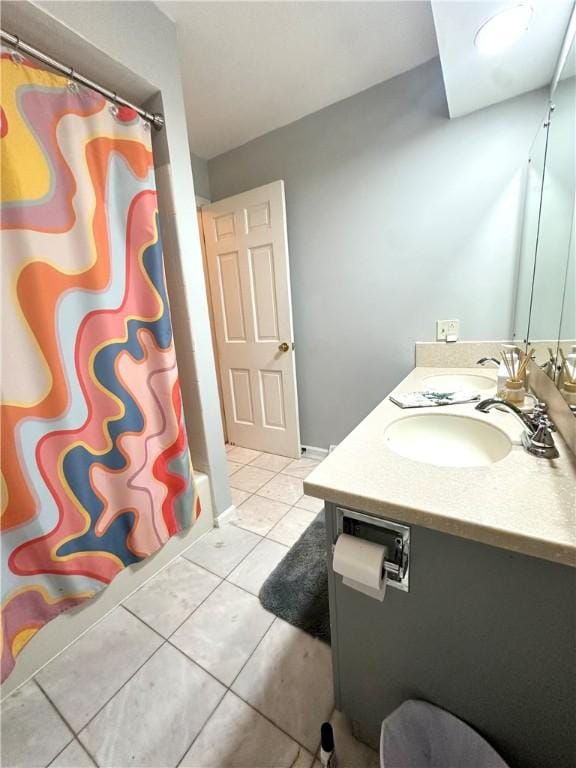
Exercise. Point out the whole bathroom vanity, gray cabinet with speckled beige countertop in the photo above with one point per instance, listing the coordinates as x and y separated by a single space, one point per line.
479 615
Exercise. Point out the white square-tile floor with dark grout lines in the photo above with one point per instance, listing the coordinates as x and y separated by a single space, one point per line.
191 670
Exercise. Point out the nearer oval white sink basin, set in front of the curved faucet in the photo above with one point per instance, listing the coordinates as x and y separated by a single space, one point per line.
447 440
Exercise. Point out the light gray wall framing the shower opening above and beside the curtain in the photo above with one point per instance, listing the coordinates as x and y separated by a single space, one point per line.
131 47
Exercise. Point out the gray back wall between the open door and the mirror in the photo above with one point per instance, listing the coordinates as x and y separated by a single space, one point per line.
397 216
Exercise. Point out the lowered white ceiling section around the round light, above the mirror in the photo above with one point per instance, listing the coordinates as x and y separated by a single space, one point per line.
473 80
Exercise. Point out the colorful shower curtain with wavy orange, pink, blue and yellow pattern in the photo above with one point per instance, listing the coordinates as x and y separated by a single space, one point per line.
96 472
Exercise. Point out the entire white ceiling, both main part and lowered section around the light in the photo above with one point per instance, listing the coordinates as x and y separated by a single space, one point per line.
250 67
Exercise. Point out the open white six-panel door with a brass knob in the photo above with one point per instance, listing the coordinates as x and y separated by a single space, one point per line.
247 254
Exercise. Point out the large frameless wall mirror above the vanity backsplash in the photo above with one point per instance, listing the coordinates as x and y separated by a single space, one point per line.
545 316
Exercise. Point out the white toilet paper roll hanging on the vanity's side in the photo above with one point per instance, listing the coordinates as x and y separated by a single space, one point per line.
361 564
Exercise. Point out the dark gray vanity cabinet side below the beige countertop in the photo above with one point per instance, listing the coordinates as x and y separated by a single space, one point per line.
484 633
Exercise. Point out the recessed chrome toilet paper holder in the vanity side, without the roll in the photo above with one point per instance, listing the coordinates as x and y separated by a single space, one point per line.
394 536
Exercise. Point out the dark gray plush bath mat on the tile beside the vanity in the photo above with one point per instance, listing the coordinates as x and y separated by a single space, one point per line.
297 589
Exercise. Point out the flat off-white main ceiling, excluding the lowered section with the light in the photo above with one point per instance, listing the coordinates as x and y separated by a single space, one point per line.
251 67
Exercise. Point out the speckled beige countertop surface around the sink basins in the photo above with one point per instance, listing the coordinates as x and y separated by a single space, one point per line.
520 503
